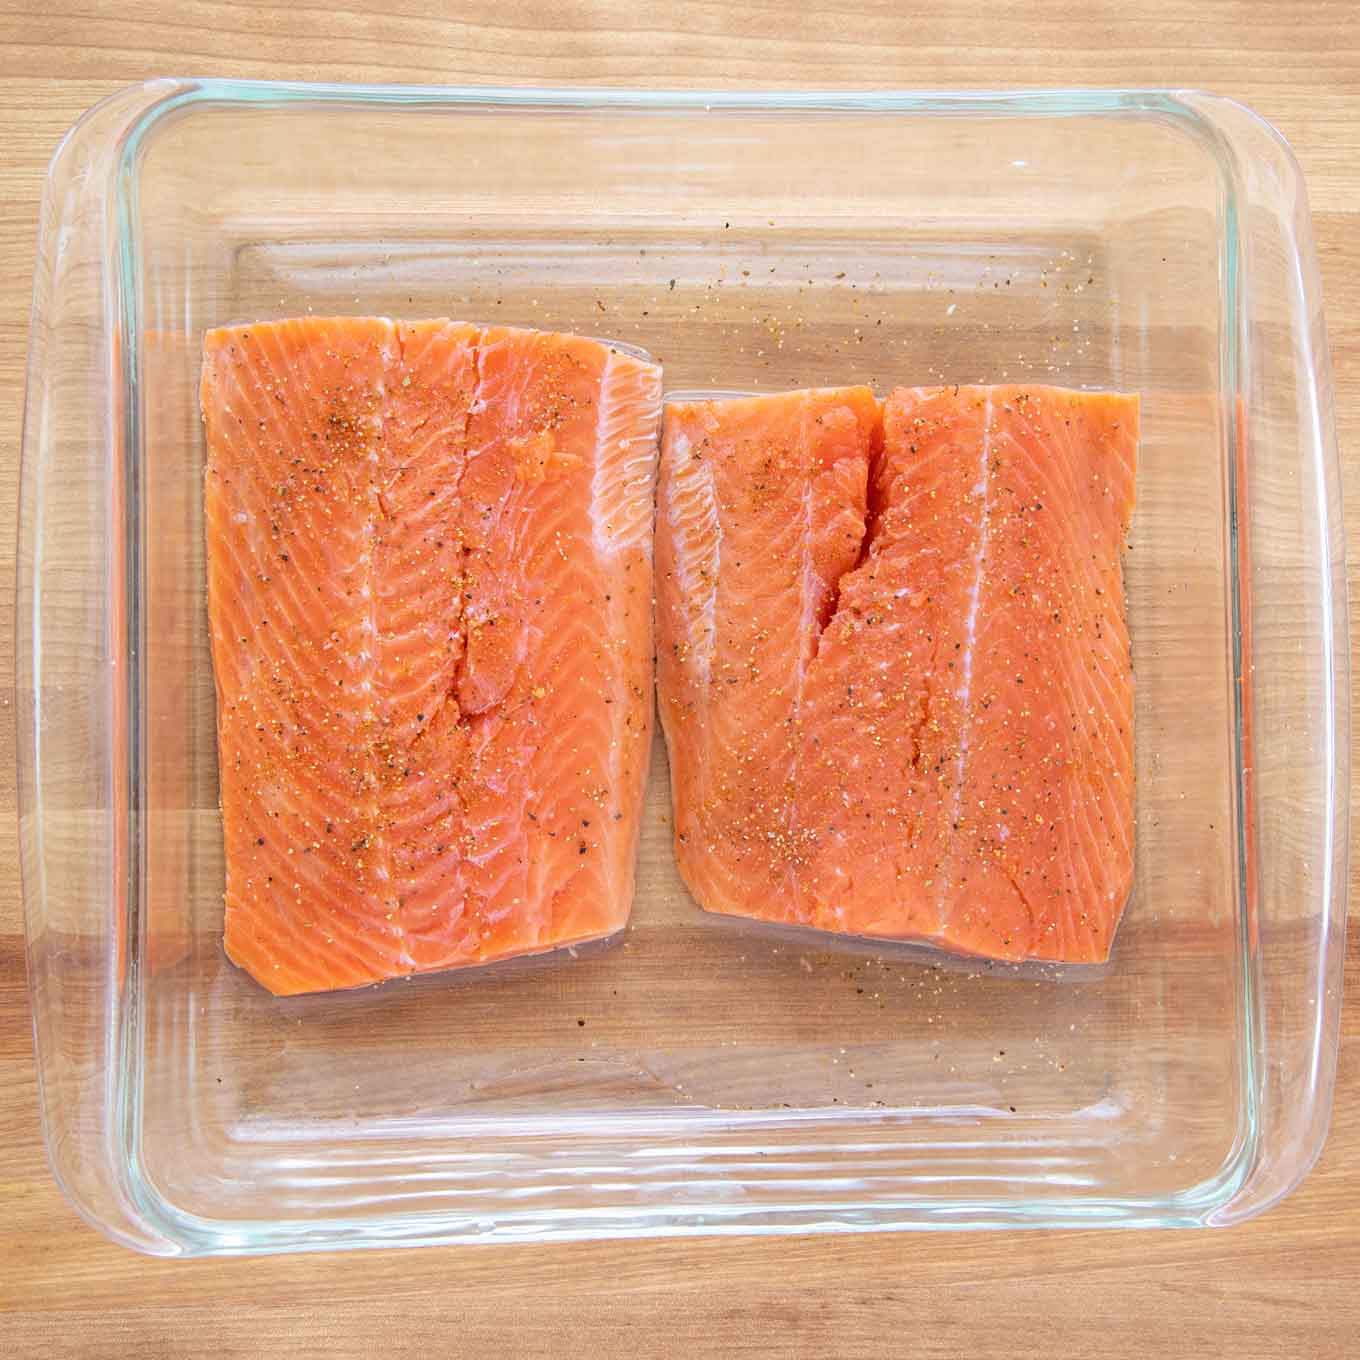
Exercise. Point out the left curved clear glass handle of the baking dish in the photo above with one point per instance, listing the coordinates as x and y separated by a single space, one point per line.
75 659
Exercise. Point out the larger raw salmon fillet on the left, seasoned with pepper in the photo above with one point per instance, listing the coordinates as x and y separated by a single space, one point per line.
430 603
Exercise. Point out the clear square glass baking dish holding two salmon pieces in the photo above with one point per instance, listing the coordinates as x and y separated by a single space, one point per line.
693 1078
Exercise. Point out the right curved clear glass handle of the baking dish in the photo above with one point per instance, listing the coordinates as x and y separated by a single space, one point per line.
1293 664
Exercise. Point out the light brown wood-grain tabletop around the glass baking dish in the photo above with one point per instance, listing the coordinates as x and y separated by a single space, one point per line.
1283 1286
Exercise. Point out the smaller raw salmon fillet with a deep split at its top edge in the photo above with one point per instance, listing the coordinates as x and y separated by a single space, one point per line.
894 667
